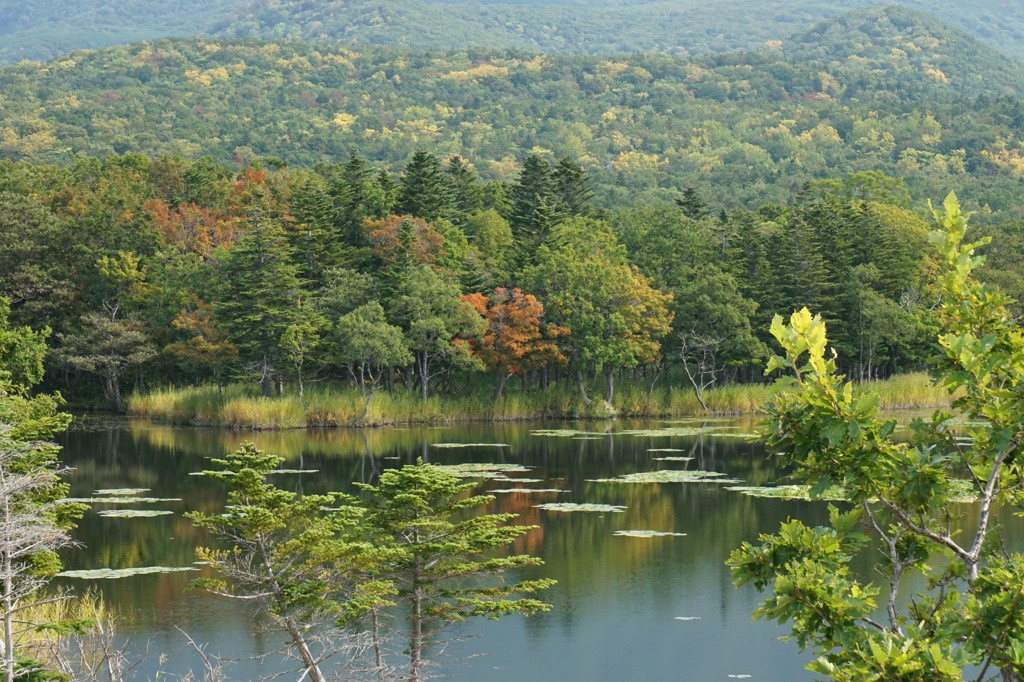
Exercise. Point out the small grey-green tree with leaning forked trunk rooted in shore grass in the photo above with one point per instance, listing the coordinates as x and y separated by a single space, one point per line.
368 346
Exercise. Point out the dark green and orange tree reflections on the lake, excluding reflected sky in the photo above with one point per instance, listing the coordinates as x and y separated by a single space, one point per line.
592 566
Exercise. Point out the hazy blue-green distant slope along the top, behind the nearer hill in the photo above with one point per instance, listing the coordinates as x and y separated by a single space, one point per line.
40 31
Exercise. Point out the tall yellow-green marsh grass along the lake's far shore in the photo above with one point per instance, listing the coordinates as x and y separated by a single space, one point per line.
330 406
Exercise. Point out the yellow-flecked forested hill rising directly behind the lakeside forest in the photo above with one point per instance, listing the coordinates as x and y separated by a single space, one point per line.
895 92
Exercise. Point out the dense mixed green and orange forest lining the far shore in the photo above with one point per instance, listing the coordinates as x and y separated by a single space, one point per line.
157 271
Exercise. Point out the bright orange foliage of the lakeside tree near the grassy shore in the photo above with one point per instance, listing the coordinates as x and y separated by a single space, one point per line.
517 339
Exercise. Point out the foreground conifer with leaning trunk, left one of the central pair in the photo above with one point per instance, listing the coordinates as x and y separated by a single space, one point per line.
297 556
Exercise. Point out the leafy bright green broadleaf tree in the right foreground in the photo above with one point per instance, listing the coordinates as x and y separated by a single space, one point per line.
970 619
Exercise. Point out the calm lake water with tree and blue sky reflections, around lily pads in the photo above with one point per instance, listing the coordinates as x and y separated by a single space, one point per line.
619 600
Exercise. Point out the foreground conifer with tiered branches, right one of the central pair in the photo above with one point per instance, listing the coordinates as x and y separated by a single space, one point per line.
446 556
